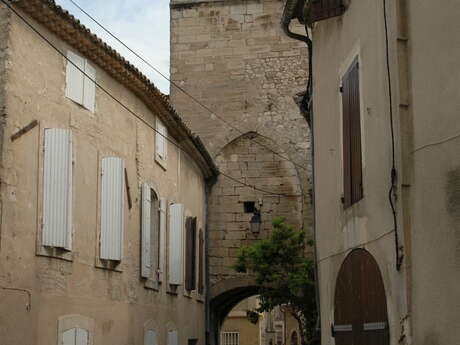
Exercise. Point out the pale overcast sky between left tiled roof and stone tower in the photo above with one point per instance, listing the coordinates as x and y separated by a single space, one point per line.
143 25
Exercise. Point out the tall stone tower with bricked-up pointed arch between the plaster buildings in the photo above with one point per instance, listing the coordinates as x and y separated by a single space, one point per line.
232 56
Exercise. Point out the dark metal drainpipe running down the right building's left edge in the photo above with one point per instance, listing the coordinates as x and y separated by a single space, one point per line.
308 41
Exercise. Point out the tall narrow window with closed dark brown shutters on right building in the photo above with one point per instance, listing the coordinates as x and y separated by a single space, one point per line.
352 160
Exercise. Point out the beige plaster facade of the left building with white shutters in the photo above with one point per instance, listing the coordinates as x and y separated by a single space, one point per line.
43 292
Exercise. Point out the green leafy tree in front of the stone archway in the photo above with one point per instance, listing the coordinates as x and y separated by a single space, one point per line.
285 274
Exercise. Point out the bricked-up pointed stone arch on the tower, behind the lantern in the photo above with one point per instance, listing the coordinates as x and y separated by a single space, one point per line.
256 165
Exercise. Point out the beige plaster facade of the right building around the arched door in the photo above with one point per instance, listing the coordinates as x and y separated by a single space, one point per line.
423 297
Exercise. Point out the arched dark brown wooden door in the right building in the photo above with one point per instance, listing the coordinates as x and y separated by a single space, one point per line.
360 311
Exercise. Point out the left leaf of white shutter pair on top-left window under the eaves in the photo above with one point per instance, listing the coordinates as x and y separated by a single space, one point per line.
75 77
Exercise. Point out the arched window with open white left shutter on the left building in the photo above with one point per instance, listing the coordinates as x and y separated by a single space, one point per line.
150 233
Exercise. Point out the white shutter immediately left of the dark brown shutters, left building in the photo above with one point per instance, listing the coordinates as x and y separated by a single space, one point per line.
176 231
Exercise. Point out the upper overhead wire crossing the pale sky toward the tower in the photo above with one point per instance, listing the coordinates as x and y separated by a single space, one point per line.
178 86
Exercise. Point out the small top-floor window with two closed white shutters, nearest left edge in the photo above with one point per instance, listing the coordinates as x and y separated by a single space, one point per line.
80 86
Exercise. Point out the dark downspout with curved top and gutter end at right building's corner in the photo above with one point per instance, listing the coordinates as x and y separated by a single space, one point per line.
290 8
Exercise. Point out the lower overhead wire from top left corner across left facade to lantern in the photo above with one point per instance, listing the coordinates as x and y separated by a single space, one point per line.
128 109
